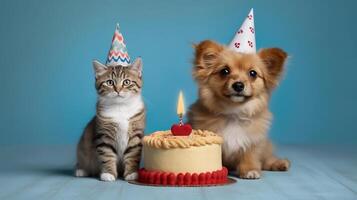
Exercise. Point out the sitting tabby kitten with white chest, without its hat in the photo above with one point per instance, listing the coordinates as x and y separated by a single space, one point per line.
111 142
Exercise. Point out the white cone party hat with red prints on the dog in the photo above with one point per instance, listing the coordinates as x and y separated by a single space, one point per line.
244 39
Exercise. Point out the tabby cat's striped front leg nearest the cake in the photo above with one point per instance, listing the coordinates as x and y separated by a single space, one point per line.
132 156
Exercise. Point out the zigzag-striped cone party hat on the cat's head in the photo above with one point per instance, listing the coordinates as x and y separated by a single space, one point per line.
118 54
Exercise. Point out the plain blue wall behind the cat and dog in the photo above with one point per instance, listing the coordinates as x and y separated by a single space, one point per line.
47 81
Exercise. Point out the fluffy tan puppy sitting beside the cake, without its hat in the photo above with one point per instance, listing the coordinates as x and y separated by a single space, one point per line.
241 118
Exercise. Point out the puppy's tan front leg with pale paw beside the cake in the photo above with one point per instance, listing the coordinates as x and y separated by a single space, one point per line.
249 166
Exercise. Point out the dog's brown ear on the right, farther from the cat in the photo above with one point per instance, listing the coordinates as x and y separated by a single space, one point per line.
274 60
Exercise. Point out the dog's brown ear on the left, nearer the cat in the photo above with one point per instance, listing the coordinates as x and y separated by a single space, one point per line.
206 57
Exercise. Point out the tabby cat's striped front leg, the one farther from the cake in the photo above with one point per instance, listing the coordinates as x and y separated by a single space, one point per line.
107 158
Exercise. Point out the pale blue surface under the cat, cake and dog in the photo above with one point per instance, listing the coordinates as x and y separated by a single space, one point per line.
45 172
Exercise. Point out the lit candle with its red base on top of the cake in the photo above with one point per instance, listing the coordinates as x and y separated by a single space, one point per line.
181 129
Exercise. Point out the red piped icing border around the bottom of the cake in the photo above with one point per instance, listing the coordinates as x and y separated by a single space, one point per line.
164 178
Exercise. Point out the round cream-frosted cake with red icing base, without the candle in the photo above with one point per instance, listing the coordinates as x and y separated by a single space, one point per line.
192 160
